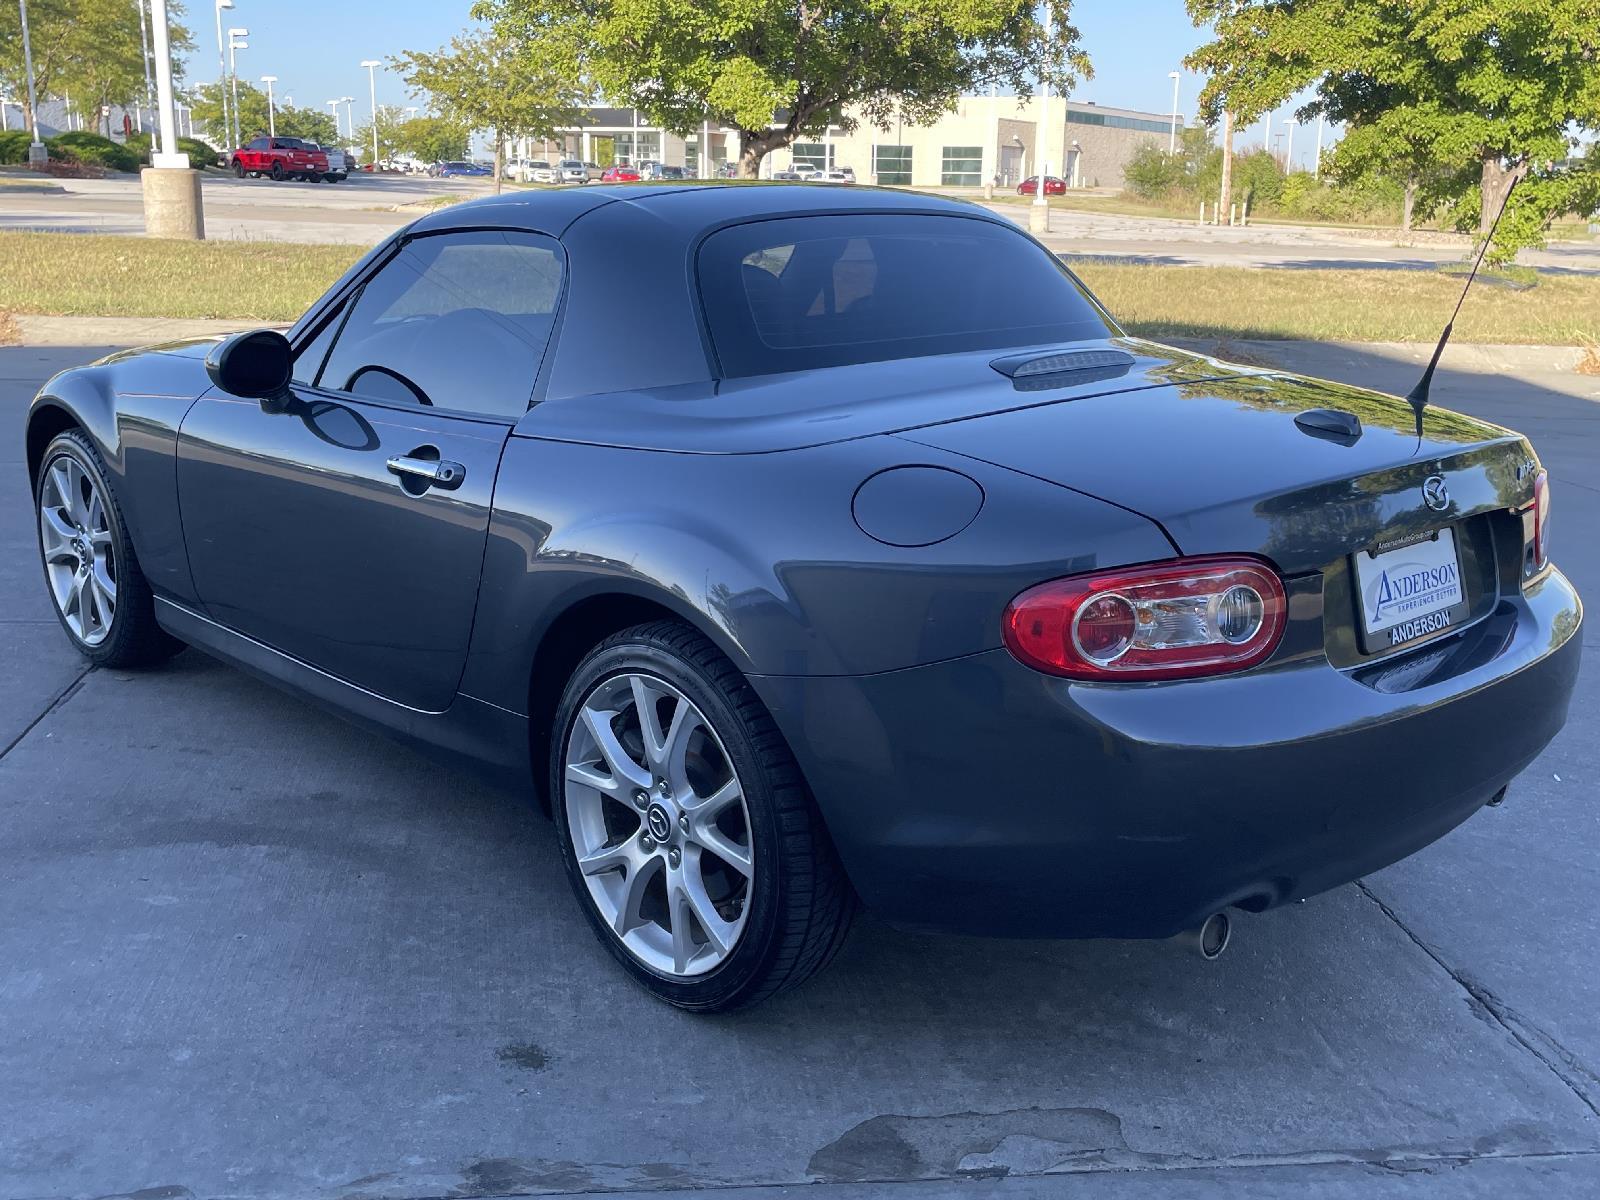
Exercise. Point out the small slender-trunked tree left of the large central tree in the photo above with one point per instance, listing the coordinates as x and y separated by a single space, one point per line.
497 84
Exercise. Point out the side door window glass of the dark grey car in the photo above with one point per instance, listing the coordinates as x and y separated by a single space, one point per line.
455 321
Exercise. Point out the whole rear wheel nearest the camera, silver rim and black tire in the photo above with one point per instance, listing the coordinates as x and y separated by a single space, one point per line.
689 834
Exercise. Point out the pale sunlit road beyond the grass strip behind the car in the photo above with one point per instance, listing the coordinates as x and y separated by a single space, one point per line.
359 212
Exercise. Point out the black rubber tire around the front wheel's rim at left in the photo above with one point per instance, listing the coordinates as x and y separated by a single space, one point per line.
134 638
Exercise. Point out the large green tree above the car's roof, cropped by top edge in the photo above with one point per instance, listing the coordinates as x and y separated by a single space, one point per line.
785 70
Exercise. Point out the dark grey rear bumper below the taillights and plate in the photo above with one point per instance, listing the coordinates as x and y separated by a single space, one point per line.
982 798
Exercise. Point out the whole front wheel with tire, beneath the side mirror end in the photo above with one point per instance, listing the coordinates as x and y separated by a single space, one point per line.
100 593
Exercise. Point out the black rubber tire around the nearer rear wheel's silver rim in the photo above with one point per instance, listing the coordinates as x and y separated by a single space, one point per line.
801 905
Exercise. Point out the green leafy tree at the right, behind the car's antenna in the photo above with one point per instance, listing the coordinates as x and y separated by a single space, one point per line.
1471 95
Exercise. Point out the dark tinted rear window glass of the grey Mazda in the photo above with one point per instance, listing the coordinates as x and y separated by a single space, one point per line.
815 292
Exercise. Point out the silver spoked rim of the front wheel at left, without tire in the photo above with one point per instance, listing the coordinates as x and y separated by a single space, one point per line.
81 559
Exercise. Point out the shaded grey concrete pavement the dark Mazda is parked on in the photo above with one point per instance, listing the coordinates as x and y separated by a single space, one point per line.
247 951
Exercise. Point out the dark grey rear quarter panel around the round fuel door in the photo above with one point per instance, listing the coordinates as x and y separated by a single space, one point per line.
764 554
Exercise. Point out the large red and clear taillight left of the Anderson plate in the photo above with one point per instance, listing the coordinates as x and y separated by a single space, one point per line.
1172 620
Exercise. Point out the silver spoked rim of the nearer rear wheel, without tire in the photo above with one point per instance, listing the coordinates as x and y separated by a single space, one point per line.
660 825
